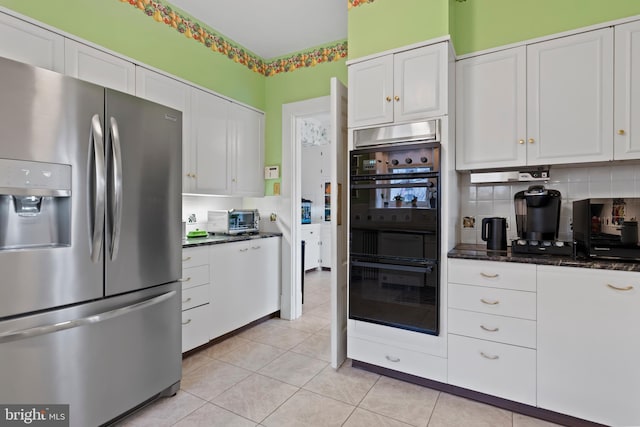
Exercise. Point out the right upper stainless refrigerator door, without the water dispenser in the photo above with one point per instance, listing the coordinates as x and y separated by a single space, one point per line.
144 199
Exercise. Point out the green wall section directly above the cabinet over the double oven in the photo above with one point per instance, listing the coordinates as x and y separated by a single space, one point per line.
388 24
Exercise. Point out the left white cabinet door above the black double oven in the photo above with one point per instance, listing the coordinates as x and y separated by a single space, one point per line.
371 92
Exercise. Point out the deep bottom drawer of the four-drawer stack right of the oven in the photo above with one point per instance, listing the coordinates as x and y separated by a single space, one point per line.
498 369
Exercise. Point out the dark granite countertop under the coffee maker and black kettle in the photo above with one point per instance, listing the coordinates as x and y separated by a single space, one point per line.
480 252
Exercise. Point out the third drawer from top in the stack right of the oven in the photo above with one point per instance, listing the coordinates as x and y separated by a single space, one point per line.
507 330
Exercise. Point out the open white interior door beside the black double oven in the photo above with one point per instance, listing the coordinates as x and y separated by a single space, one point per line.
339 235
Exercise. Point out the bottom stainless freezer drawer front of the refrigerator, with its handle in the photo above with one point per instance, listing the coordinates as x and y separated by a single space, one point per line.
101 358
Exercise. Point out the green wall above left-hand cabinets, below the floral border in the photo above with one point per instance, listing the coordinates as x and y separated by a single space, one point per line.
120 27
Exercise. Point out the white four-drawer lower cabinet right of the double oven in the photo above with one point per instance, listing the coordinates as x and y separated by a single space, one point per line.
492 328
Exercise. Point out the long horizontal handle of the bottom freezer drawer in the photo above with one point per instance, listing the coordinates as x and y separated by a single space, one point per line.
95 318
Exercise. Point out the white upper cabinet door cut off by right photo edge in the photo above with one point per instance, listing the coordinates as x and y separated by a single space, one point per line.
627 91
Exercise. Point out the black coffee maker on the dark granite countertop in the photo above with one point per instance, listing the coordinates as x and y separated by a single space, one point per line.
537 213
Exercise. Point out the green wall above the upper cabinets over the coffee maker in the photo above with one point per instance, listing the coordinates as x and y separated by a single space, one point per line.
483 24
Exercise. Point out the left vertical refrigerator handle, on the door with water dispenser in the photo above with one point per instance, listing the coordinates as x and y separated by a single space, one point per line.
97 208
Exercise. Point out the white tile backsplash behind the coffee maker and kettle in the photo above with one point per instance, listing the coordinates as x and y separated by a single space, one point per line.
574 183
